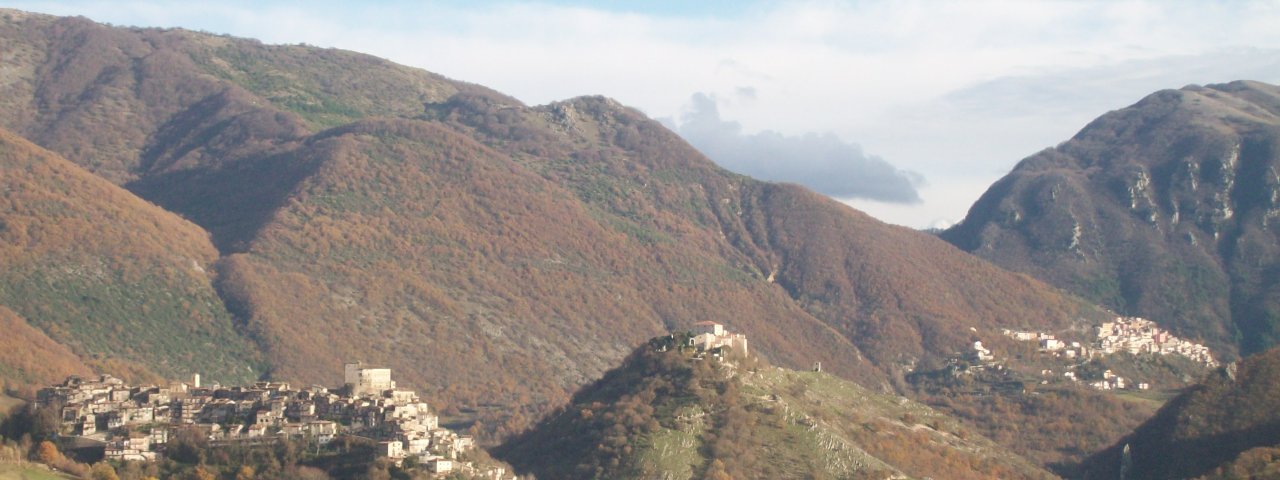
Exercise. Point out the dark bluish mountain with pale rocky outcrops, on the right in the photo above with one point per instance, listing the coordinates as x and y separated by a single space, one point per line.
1165 209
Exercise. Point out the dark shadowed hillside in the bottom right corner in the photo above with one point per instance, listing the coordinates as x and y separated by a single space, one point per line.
1227 427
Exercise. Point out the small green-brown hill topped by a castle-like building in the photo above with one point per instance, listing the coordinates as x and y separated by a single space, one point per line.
669 414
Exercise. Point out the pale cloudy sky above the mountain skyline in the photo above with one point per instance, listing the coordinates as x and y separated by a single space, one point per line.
907 111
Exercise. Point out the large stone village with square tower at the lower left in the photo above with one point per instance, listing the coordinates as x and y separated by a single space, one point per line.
135 422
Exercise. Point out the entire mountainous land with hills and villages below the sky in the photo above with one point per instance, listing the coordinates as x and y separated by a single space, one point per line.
574 286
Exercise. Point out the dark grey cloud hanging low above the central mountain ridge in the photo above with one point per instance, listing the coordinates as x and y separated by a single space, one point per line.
821 162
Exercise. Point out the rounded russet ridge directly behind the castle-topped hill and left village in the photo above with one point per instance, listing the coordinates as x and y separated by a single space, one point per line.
413 245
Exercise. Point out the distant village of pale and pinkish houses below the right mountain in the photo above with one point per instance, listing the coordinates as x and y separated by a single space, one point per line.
1126 335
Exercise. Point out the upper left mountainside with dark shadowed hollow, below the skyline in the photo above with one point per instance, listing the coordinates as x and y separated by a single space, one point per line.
182 118
